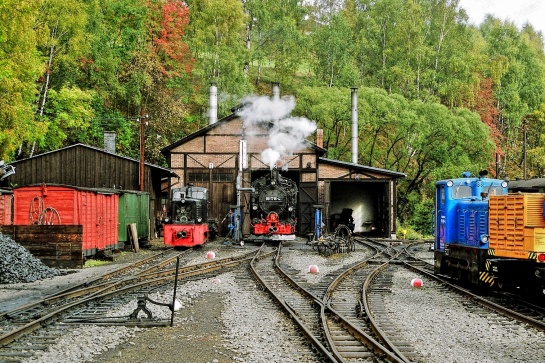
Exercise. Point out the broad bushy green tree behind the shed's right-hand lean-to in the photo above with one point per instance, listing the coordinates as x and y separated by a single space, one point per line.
425 140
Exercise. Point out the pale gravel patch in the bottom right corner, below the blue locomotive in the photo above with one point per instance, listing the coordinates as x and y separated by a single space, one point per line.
447 331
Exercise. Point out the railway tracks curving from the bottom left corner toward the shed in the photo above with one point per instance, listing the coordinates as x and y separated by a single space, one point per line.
31 328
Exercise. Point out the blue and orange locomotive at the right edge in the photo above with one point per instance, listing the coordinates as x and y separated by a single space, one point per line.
488 237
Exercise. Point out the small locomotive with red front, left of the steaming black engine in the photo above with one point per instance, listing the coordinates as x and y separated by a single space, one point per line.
187 224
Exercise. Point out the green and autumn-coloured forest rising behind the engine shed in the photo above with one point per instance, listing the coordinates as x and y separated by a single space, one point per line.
436 95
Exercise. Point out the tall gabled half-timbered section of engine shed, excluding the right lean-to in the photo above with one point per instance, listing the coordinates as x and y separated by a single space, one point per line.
210 158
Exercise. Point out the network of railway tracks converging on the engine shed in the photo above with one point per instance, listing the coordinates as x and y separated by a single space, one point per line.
344 314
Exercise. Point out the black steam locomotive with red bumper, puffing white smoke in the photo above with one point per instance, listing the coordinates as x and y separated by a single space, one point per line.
273 208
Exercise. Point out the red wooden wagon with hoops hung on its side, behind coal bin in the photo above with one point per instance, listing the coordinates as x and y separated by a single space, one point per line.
94 209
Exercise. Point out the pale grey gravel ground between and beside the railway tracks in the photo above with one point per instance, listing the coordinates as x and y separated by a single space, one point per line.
225 320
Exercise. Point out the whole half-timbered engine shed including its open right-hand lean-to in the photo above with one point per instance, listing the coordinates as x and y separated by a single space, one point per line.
227 155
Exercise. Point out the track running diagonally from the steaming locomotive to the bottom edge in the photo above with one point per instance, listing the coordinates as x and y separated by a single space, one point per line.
316 320
